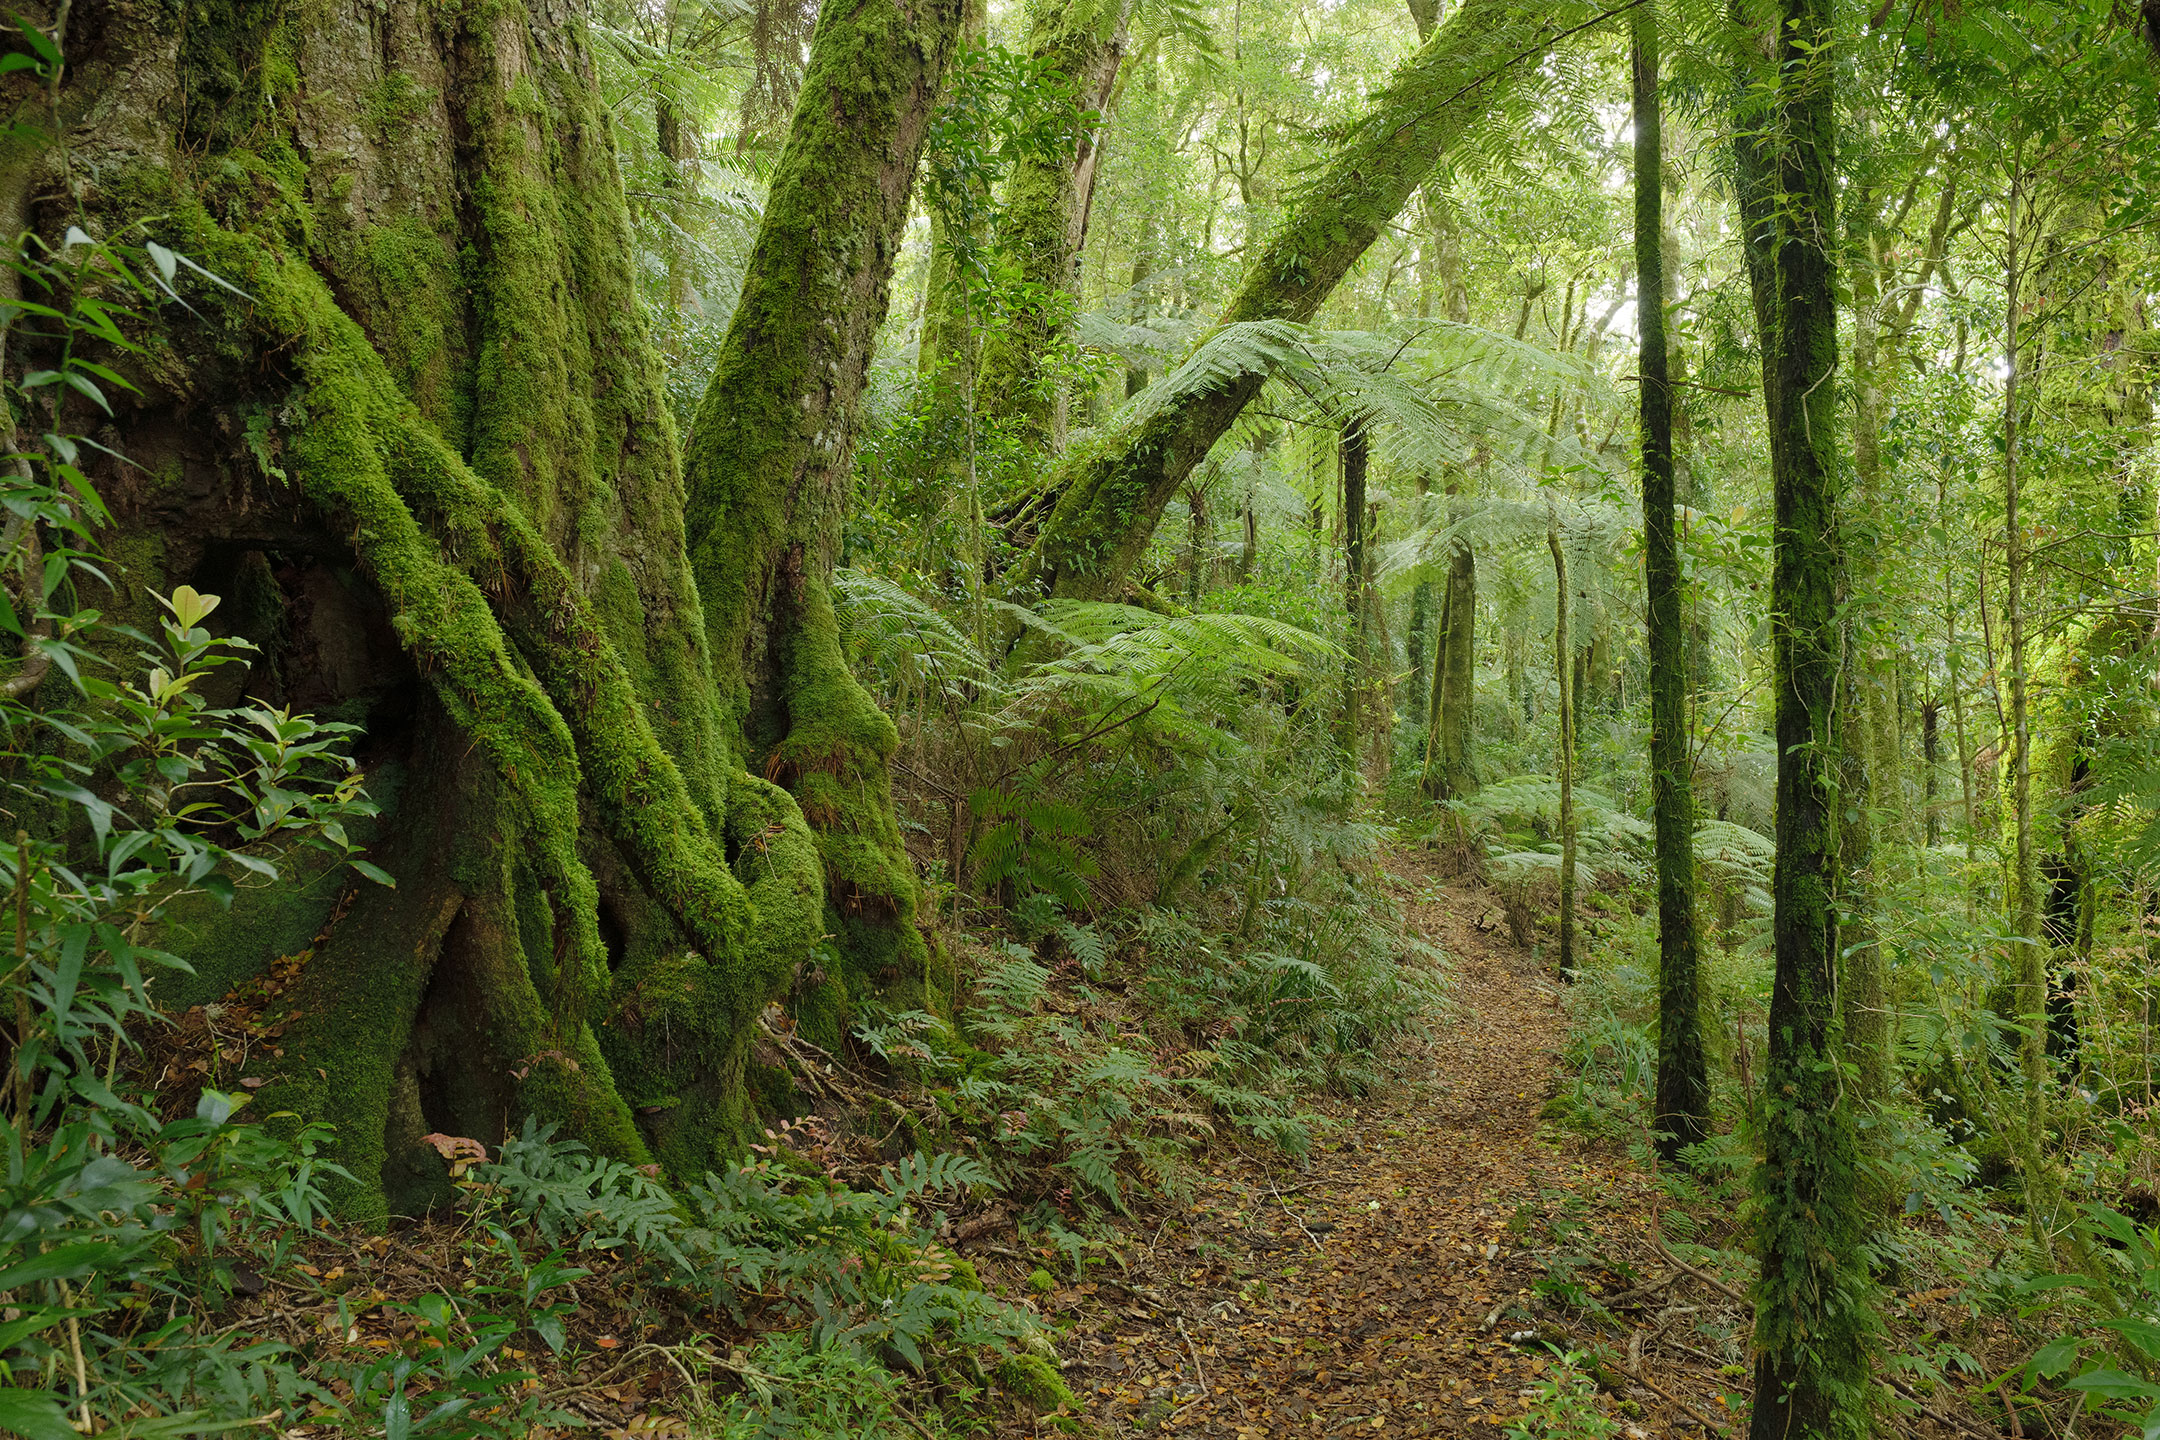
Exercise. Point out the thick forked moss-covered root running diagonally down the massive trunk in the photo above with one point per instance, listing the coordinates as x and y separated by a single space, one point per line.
530 675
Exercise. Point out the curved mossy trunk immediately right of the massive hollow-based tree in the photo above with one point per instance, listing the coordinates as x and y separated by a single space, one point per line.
770 467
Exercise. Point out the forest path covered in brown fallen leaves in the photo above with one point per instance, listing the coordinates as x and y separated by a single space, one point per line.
1377 1290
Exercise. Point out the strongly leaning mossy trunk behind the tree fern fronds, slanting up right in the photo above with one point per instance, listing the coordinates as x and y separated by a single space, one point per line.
1111 498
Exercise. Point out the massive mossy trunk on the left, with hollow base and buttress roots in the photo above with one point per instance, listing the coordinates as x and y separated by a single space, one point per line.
429 459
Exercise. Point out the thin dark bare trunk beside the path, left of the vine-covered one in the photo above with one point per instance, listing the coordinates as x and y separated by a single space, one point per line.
1684 1081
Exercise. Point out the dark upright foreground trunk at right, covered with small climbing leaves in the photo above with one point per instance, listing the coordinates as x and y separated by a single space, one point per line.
1811 1296
